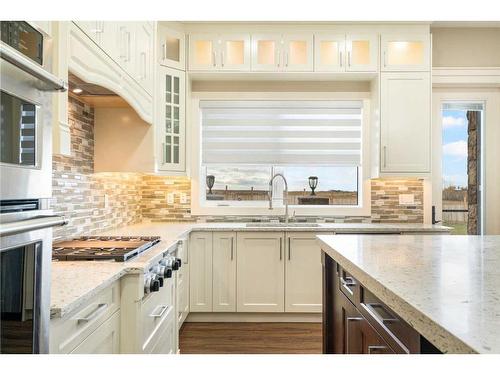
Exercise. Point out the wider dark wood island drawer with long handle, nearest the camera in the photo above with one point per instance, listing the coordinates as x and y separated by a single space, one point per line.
399 334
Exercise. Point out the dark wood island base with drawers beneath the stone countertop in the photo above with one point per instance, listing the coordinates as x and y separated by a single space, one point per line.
355 321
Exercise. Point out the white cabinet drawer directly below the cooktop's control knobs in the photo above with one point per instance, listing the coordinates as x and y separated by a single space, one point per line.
155 308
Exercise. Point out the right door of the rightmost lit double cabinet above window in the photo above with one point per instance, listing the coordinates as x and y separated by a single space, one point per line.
362 53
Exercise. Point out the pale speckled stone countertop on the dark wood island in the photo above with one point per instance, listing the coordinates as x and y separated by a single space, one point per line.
446 287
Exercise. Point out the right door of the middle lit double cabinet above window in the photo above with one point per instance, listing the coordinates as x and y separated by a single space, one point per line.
298 53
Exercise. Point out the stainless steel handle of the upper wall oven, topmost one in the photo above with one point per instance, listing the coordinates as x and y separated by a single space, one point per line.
52 83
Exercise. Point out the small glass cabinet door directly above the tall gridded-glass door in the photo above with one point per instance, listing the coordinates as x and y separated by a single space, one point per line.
171 47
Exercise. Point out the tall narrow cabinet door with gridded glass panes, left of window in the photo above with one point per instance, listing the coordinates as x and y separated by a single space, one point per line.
170 120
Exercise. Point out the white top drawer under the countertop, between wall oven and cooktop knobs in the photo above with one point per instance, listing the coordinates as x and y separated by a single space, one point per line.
69 332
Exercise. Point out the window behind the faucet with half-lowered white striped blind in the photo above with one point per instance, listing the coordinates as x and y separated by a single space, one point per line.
316 144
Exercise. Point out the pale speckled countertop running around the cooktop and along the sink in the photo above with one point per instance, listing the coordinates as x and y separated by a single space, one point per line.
73 283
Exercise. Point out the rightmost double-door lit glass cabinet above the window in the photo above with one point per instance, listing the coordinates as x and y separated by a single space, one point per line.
345 53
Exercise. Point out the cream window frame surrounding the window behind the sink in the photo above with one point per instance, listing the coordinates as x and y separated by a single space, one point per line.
198 184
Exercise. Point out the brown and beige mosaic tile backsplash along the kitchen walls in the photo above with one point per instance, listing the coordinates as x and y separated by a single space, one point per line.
94 202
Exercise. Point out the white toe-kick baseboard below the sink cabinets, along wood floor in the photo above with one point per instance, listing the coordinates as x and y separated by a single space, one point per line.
255 317
